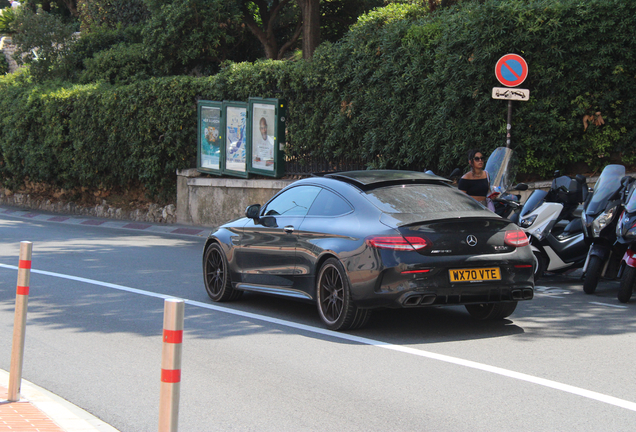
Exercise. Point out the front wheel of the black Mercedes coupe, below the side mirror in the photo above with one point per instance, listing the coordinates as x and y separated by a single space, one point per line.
216 275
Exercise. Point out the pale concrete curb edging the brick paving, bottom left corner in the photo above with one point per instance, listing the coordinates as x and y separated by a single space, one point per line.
67 416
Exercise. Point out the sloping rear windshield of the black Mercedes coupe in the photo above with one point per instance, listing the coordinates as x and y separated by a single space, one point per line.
421 198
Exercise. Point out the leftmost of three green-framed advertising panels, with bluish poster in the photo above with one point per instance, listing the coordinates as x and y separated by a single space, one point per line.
210 127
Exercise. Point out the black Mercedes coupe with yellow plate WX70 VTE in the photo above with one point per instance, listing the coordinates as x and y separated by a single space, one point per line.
355 241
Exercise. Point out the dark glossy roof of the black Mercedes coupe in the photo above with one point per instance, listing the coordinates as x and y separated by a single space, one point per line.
370 179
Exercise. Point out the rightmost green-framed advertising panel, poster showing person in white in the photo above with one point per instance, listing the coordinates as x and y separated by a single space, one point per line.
266 137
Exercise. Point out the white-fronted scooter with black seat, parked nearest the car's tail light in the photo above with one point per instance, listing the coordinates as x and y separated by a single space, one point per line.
551 219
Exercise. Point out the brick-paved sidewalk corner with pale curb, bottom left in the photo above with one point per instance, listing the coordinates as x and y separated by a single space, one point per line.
41 411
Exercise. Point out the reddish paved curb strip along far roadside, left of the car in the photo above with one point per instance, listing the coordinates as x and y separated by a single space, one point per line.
106 223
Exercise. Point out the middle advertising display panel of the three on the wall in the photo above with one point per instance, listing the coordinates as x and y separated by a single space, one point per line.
236 152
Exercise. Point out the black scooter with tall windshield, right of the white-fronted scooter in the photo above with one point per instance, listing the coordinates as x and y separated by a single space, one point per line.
600 215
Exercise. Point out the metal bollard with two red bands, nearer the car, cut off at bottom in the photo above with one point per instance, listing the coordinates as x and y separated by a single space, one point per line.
171 365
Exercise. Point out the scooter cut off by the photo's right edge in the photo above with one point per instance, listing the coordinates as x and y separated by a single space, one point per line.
626 234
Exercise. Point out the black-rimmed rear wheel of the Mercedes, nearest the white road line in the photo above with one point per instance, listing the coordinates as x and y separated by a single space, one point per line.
333 296
